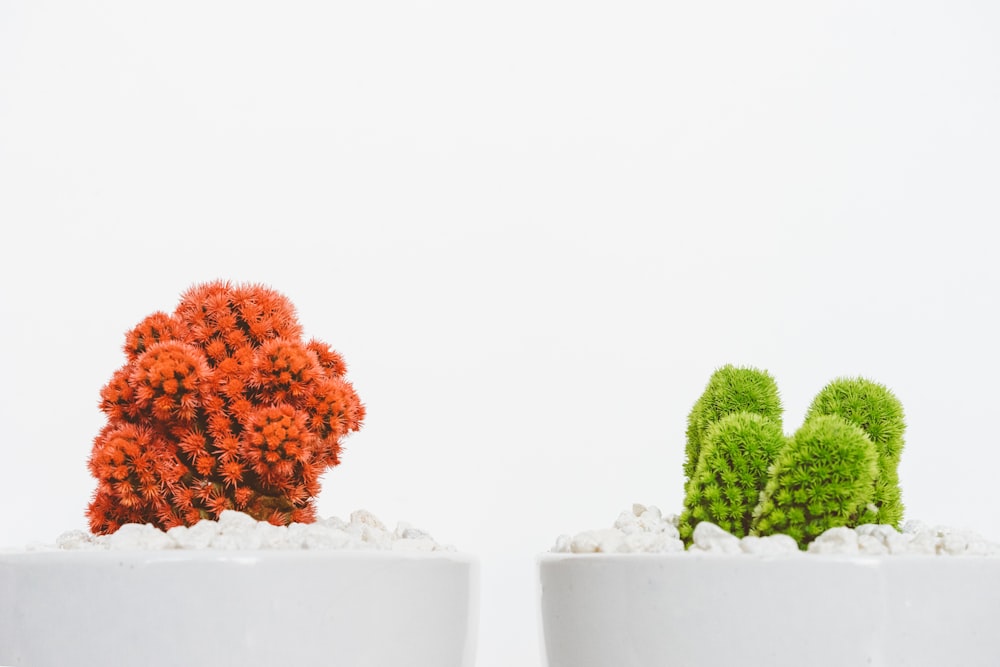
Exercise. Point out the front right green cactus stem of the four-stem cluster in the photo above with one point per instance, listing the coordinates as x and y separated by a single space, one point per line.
822 479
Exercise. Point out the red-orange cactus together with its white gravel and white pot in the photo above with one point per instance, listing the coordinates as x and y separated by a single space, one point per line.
204 544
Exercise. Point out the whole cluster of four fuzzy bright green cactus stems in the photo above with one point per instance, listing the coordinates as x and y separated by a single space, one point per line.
838 469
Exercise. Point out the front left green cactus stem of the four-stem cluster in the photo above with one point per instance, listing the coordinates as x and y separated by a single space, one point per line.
732 469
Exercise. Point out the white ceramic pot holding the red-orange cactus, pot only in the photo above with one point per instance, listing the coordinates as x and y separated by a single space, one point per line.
238 608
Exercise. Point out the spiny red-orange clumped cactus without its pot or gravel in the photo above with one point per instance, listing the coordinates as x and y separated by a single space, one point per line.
219 406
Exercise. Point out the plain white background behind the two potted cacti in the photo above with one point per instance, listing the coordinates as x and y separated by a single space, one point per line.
532 228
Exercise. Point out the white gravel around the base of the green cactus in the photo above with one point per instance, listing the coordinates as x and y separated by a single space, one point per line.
646 530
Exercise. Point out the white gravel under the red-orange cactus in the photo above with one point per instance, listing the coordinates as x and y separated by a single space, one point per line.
238 531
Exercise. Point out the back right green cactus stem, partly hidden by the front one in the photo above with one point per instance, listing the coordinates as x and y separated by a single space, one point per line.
874 409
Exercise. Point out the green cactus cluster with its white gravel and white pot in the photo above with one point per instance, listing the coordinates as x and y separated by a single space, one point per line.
800 531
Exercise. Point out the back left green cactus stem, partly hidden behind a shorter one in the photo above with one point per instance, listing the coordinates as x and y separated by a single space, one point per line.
731 389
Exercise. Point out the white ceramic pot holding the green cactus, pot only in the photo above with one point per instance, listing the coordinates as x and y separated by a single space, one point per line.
687 610
